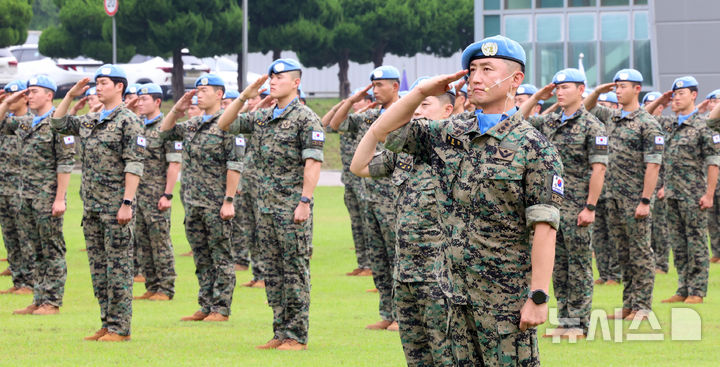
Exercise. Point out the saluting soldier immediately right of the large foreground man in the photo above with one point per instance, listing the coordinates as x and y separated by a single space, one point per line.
582 142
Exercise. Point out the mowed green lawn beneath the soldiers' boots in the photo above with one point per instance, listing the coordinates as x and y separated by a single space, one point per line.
339 311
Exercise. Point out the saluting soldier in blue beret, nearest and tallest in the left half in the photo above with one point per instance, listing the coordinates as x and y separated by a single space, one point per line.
288 154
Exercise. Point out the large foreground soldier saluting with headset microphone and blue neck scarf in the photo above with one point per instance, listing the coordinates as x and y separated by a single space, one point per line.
499 184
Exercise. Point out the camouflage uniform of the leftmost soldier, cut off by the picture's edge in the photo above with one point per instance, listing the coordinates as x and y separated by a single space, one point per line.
19 254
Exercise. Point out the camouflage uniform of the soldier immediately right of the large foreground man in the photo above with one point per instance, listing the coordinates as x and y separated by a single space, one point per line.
581 141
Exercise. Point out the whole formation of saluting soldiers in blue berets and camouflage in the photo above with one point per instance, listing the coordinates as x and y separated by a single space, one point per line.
465 200
